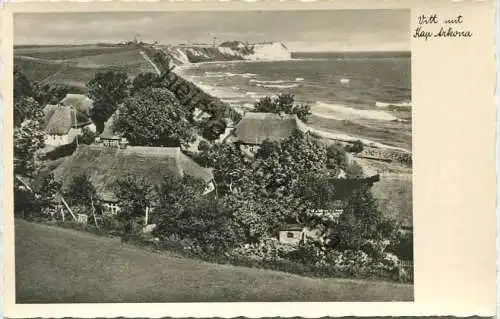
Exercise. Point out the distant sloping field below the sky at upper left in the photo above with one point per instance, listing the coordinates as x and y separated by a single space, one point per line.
75 66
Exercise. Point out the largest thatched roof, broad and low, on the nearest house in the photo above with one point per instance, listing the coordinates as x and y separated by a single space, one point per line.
104 165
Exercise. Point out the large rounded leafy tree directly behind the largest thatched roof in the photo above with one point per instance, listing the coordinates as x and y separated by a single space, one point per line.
153 117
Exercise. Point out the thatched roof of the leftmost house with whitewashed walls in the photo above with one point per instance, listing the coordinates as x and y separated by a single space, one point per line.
59 119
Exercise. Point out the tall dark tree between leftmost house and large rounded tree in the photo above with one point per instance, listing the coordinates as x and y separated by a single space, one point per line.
108 90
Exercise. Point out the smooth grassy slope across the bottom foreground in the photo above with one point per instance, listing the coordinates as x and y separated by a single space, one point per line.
61 265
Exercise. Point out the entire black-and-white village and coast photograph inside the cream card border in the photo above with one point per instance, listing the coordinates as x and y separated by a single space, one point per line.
213 156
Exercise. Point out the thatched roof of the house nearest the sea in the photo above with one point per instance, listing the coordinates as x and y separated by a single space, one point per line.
255 128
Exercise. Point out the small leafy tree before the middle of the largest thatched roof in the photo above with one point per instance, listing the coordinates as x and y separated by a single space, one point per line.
135 196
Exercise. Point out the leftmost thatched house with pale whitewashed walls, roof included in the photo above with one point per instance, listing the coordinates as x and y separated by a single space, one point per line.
62 124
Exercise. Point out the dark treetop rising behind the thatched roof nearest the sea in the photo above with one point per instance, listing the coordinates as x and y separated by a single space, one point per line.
283 103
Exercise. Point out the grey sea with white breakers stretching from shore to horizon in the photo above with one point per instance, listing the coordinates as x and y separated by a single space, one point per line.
366 96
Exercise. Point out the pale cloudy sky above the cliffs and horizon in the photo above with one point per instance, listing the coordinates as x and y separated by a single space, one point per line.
320 30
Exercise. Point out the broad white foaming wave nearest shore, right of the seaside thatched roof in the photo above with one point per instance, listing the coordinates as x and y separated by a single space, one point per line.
342 112
